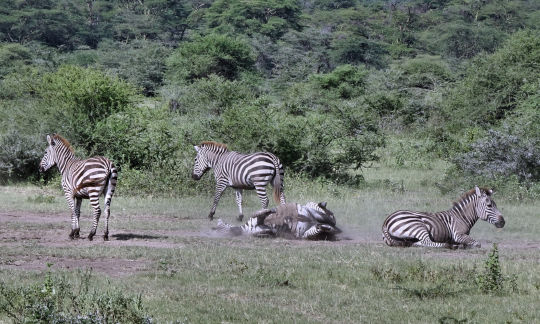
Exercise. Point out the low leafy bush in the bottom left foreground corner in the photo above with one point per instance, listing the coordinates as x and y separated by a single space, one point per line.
57 300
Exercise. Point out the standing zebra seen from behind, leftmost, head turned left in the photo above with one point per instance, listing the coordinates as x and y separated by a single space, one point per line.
86 179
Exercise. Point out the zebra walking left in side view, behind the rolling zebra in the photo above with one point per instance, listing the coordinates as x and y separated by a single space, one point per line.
239 171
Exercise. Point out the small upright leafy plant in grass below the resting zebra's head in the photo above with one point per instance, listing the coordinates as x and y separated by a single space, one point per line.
491 280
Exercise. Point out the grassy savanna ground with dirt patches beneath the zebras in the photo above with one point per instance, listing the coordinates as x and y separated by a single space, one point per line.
164 250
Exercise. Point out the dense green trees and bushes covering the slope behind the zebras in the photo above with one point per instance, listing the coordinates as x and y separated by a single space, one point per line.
319 83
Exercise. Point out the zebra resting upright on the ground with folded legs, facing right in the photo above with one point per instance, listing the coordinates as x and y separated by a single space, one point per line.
448 229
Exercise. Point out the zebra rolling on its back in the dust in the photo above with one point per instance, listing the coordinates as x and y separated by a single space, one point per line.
311 221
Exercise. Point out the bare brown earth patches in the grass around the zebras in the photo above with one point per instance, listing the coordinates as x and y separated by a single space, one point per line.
54 228
